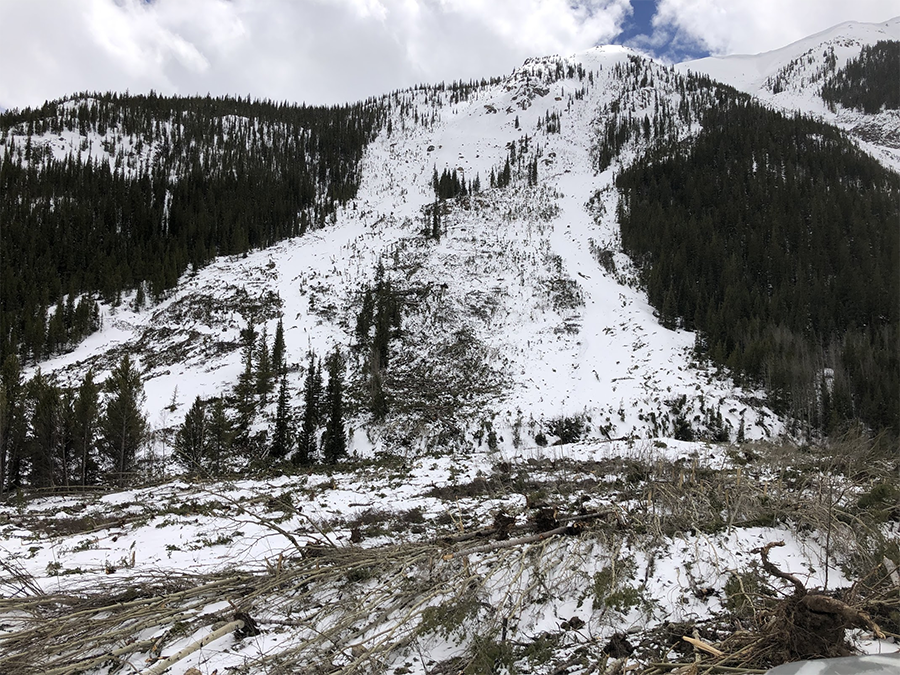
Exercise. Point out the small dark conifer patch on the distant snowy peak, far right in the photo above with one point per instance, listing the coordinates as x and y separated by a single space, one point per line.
868 82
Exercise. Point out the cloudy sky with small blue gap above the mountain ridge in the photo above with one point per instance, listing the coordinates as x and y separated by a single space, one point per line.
333 51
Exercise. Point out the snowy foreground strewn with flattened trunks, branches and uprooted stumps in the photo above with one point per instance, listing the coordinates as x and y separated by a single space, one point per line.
649 557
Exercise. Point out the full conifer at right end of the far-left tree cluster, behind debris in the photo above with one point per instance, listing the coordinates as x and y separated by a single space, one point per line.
123 426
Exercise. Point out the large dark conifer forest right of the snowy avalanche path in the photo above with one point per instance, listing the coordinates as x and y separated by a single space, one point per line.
779 242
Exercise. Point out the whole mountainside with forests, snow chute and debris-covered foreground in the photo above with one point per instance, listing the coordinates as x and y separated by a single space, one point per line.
572 436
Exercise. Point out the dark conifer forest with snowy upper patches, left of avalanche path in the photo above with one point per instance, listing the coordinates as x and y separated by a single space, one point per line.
217 176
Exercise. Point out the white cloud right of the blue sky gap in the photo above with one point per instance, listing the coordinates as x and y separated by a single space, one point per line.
754 26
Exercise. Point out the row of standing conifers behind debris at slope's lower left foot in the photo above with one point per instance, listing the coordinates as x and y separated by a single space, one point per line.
55 436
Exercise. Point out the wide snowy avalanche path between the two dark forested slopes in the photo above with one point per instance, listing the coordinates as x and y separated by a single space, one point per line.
515 279
